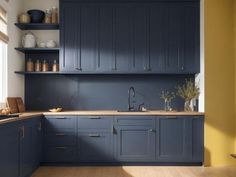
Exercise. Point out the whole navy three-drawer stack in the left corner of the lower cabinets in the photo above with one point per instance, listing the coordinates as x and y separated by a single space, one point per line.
59 139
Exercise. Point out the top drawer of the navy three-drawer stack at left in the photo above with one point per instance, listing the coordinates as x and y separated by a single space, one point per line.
55 123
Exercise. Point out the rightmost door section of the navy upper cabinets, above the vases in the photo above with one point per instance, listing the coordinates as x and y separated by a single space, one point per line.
183 38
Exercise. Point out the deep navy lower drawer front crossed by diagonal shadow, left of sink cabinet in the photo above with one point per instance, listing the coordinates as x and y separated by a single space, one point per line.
95 147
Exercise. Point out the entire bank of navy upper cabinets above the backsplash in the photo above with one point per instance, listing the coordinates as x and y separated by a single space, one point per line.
131 37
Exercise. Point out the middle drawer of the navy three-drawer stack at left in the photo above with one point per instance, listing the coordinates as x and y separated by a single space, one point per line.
60 139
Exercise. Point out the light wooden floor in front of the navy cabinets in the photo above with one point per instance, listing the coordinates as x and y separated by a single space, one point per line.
135 171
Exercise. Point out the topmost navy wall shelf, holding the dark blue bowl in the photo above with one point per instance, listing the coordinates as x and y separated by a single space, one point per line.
37 26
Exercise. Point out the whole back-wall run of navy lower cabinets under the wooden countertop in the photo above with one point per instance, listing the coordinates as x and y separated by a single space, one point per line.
164 139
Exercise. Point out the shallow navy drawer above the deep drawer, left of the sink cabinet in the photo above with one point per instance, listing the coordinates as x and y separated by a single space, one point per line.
95 122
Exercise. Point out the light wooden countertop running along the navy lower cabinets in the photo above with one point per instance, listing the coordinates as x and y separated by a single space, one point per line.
28 115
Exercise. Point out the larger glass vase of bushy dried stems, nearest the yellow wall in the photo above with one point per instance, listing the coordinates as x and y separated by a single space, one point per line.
188 91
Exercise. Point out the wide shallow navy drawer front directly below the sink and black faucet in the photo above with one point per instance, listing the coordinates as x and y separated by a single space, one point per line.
135 120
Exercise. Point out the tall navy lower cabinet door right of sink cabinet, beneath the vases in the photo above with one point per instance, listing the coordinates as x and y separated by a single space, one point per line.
173 140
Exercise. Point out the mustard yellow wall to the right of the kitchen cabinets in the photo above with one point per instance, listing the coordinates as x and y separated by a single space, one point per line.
219 82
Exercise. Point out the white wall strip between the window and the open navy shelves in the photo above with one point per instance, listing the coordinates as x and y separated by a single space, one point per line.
15 62
